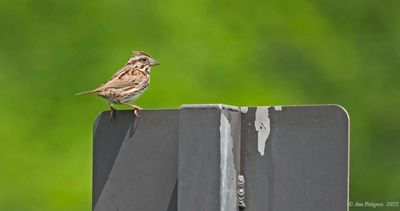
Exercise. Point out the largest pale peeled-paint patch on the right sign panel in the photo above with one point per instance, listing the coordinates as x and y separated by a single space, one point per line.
262 125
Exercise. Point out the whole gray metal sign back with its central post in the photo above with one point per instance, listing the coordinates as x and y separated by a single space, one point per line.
218 157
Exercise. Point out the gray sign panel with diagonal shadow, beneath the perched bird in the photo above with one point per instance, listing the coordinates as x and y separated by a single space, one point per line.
135 161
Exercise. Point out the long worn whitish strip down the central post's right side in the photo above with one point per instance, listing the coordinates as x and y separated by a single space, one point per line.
227 168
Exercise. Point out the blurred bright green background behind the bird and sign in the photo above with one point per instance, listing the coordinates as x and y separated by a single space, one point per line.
254 52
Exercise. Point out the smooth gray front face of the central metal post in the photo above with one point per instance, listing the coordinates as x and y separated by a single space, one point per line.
198 167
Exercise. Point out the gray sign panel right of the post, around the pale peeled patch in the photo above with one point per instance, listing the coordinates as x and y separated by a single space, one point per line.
305 165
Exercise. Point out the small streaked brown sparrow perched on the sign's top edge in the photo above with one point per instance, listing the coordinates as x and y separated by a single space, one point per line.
128 83
